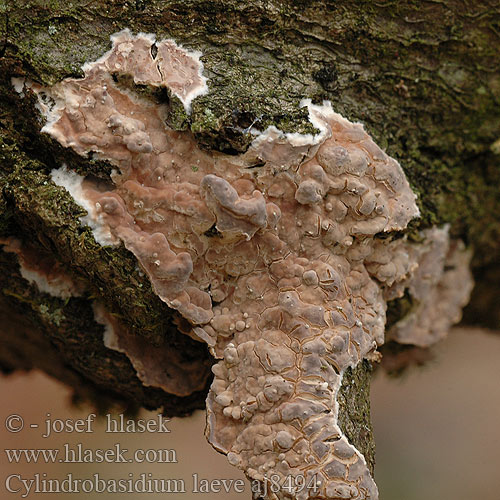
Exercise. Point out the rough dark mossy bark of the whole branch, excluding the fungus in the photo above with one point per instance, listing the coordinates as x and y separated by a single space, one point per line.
422 76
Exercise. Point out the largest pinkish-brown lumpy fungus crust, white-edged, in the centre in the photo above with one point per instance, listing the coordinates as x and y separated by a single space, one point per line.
277 266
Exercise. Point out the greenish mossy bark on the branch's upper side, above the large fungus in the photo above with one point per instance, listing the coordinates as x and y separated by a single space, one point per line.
422 76
